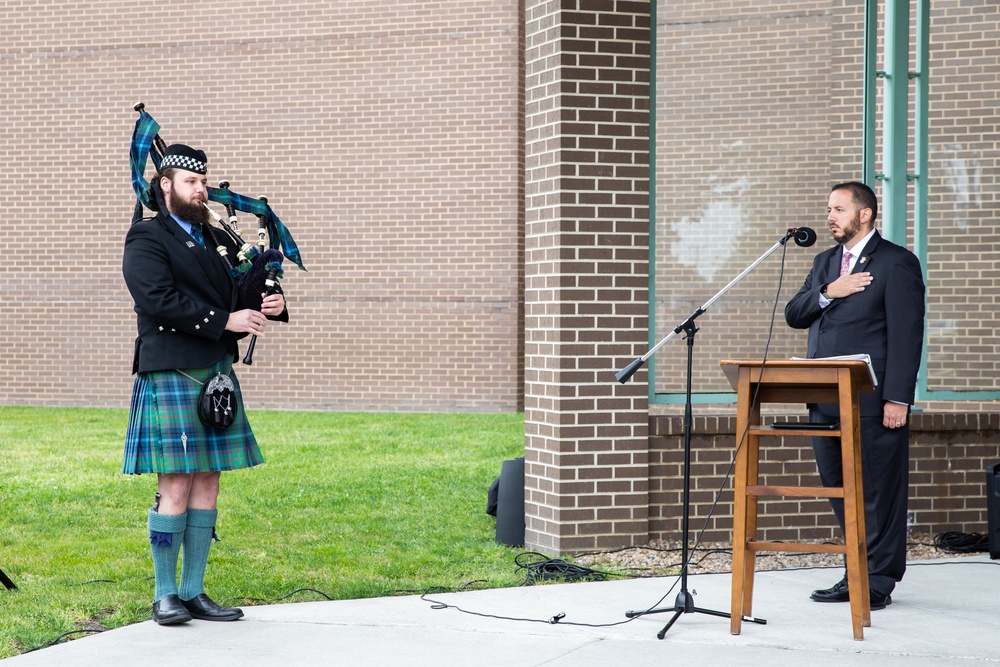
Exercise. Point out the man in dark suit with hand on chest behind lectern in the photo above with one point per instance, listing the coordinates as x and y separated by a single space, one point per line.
866 296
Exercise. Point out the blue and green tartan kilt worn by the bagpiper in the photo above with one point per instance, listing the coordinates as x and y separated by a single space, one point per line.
165 435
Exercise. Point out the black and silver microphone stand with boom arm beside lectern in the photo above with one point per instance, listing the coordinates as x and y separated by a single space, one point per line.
684 603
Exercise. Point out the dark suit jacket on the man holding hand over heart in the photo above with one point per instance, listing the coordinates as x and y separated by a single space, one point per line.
885 321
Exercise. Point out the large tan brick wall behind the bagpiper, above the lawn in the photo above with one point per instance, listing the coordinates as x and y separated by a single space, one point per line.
388 136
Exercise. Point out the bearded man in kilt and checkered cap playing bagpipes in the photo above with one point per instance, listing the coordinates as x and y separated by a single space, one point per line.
189 320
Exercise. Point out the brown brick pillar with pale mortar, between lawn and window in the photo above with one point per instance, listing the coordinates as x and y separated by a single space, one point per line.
587 82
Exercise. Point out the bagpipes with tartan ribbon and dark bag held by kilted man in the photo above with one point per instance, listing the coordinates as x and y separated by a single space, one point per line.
256 268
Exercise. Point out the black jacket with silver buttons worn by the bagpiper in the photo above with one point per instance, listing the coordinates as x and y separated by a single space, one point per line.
183 296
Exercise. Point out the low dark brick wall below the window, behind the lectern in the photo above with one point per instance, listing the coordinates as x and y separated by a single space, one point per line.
949 457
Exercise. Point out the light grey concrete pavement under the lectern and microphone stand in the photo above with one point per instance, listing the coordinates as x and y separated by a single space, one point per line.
945 612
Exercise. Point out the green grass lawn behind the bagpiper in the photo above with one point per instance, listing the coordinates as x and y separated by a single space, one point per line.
353 505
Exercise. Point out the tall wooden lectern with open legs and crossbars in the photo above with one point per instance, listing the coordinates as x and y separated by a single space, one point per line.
797 381
